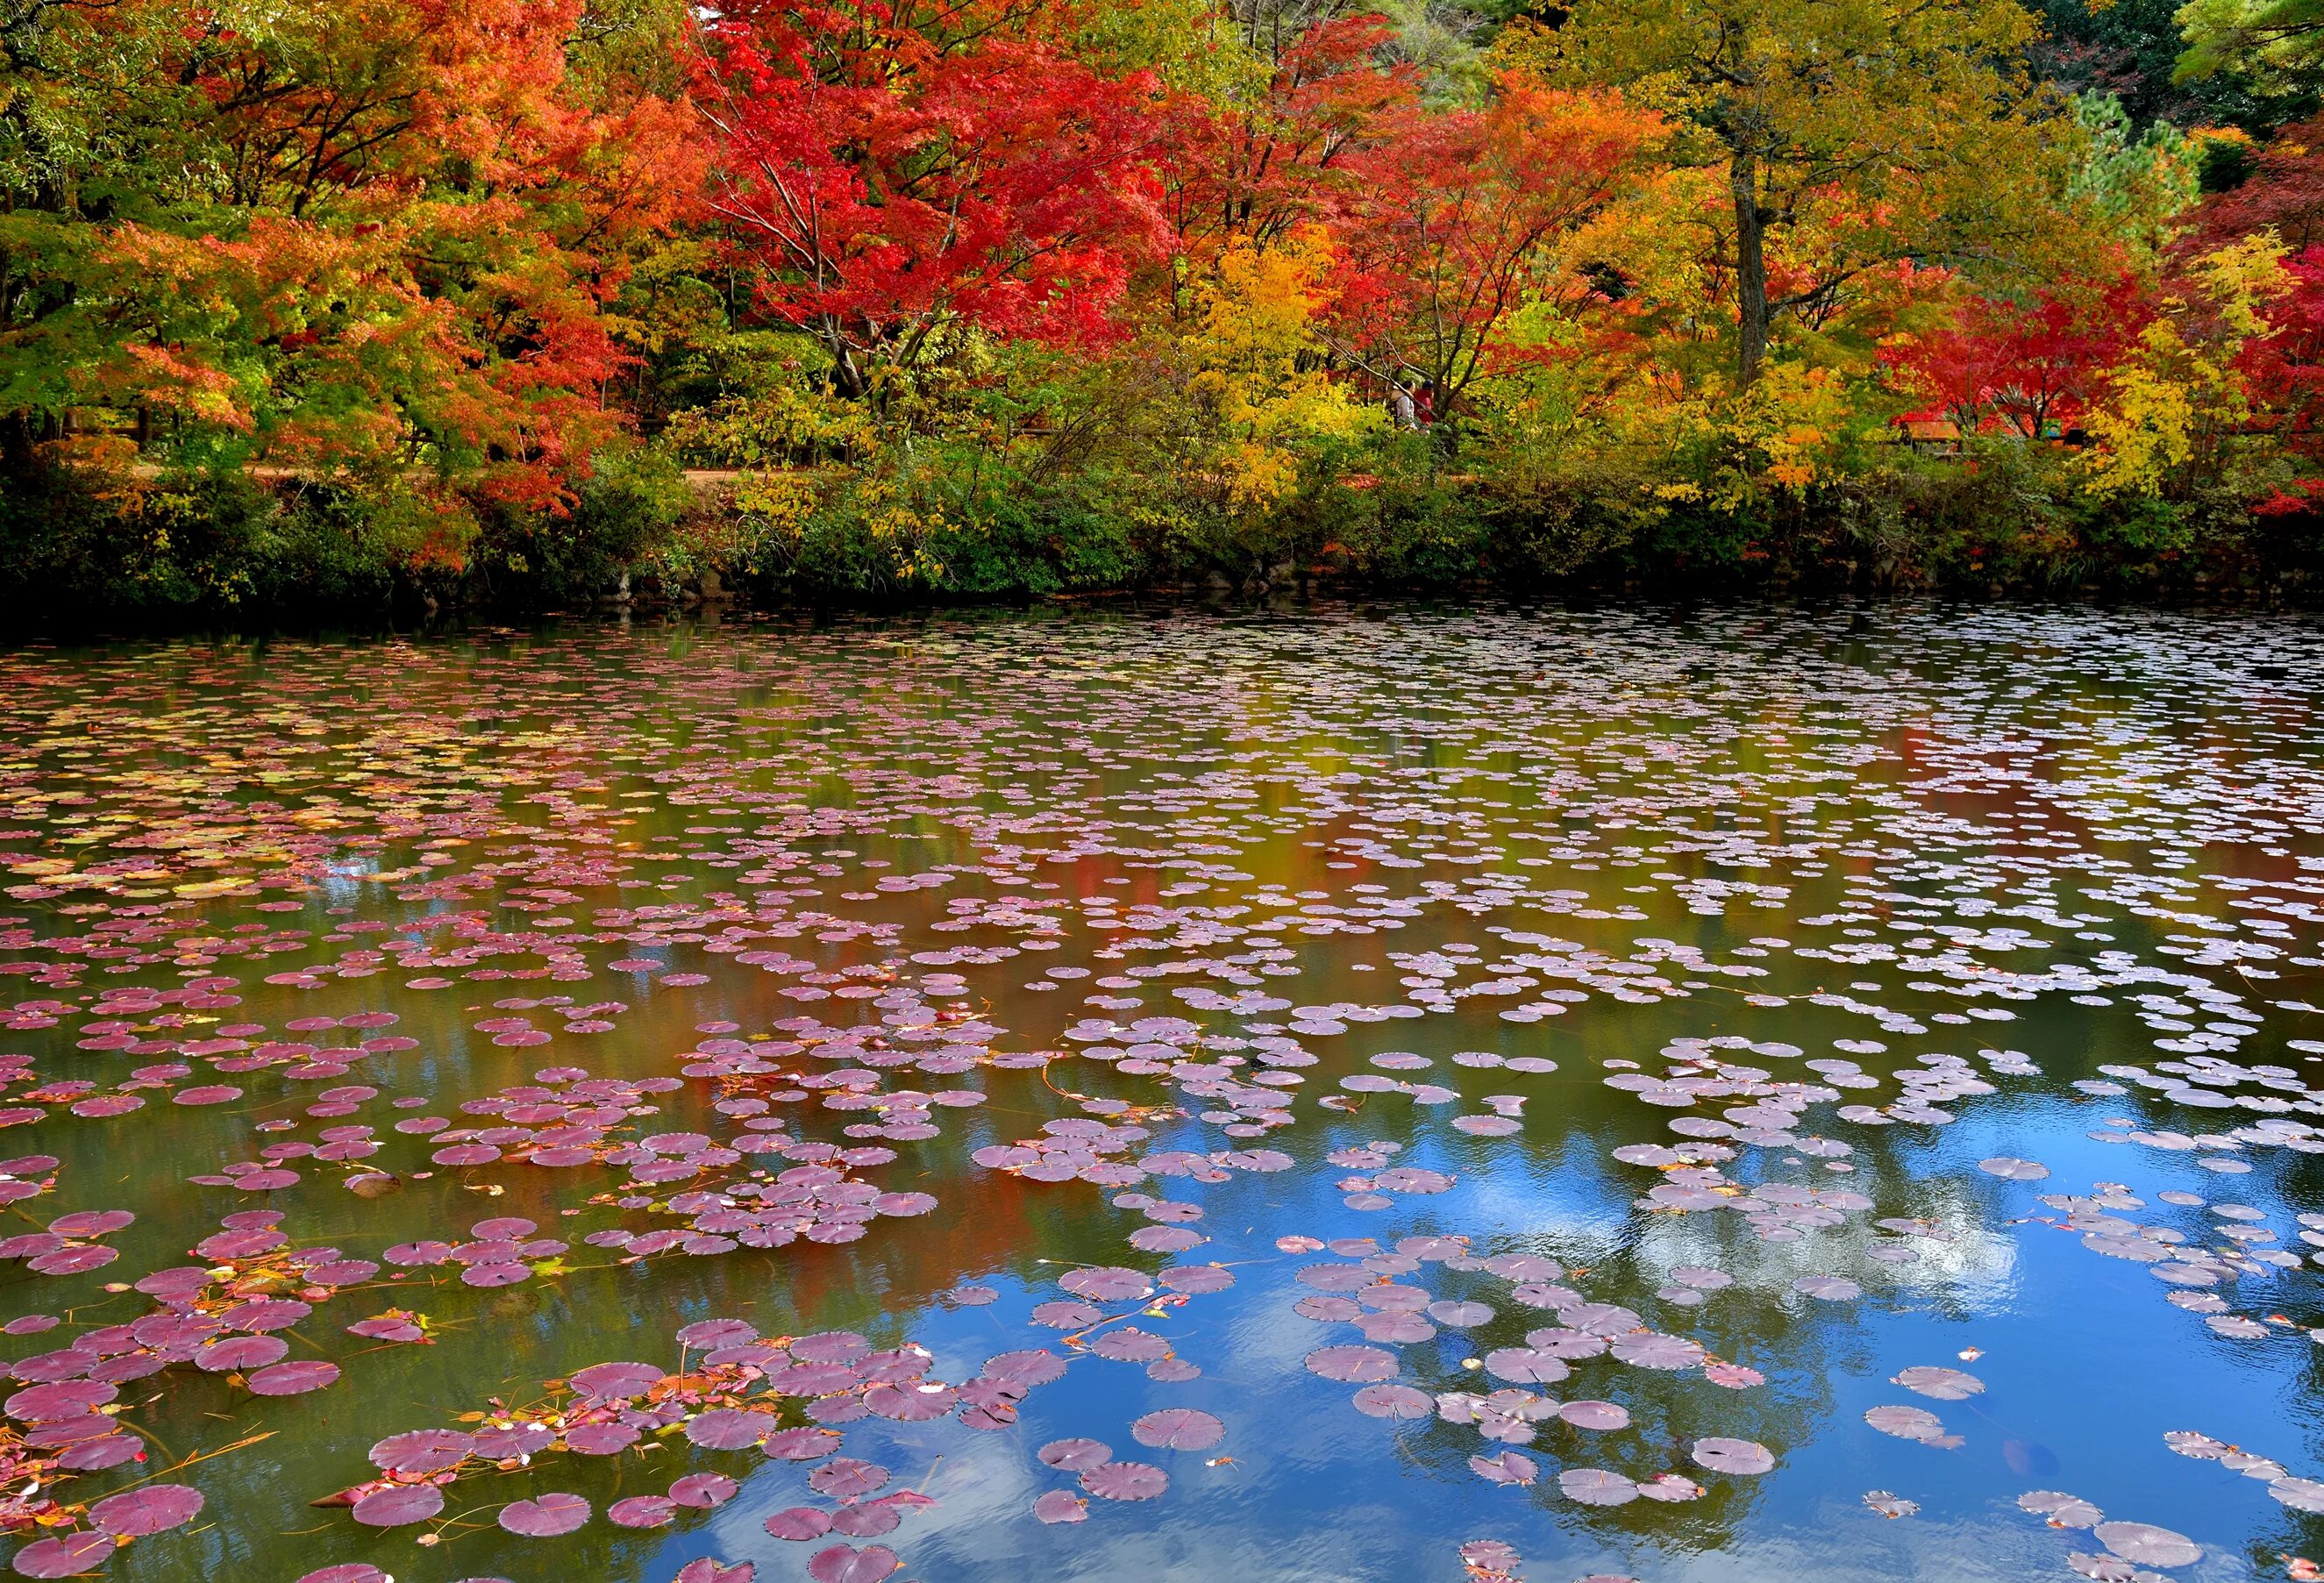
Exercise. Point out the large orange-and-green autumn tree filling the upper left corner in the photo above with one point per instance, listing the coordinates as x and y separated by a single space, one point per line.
378 234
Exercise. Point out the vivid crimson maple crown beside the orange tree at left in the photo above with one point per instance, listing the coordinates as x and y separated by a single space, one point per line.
889 182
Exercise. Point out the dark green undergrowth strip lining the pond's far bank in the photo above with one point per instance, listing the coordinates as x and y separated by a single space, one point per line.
206 547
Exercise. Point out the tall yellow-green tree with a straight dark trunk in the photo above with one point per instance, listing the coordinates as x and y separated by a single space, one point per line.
1851 136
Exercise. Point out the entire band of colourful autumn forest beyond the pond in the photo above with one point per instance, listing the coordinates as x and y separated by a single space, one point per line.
552 303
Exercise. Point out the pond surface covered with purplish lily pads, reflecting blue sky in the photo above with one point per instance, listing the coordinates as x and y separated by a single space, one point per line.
1349 1096
